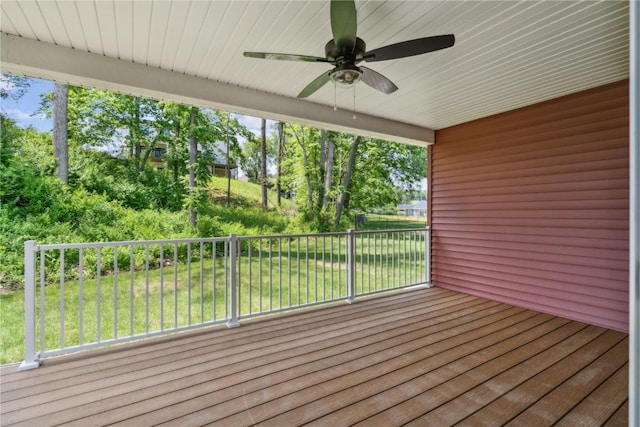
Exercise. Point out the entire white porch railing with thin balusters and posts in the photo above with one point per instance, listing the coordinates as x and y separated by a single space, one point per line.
85 295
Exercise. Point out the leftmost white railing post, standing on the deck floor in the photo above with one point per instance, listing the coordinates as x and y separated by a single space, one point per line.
30 359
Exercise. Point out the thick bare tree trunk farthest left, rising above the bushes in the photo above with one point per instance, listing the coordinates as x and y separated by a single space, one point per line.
60 130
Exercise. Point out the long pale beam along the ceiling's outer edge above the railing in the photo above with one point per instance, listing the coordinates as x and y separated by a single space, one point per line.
43 60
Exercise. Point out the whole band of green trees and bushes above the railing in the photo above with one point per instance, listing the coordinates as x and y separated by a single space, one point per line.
115 194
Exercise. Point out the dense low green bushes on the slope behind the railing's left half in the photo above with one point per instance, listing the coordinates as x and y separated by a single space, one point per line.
106 200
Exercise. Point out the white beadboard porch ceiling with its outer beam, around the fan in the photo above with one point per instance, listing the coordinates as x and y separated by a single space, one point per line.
508 54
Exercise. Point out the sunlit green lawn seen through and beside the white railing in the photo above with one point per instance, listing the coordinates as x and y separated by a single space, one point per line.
273 274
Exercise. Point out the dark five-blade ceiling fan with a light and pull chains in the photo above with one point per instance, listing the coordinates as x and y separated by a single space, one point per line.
345 51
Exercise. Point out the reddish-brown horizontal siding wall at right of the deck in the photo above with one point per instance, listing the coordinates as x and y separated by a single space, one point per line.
531 207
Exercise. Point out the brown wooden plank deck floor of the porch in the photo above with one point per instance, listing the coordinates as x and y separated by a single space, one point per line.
424 357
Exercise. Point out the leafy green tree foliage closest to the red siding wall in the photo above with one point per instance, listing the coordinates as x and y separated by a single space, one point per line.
380 171
